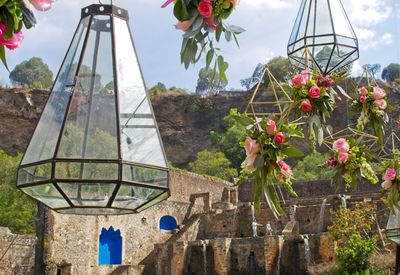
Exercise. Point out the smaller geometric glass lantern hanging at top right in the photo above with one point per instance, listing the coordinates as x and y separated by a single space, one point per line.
322 37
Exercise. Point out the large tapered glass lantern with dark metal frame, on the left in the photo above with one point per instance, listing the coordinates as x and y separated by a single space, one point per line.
96 148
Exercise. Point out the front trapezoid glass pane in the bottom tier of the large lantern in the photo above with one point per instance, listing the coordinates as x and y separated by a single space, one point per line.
88 194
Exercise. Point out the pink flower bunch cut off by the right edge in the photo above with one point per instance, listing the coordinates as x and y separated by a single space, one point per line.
391 179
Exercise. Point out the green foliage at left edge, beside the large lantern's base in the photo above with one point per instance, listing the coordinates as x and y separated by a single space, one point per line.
17 210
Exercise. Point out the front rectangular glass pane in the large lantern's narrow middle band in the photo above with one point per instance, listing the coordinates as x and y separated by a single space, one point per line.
73 170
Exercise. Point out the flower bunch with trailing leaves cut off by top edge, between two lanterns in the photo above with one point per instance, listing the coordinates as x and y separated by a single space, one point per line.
199 19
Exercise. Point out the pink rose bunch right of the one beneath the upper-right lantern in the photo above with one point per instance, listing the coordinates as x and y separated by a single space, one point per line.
371 103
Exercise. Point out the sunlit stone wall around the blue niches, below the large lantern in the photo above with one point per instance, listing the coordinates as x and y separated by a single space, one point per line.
72 240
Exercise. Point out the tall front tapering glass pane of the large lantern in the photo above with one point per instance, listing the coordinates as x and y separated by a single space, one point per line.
91 126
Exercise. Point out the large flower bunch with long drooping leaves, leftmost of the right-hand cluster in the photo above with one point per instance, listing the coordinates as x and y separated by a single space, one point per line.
266 145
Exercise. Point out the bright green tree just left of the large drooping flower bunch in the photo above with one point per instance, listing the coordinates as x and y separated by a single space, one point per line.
228 140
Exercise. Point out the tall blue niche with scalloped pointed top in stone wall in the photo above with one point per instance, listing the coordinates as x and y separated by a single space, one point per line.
110 246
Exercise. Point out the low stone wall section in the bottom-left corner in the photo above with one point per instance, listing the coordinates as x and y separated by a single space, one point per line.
17 253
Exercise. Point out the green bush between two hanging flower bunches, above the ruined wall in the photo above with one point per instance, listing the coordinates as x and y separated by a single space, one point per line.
310 168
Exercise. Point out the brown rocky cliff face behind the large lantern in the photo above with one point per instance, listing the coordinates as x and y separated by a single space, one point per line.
185 121
